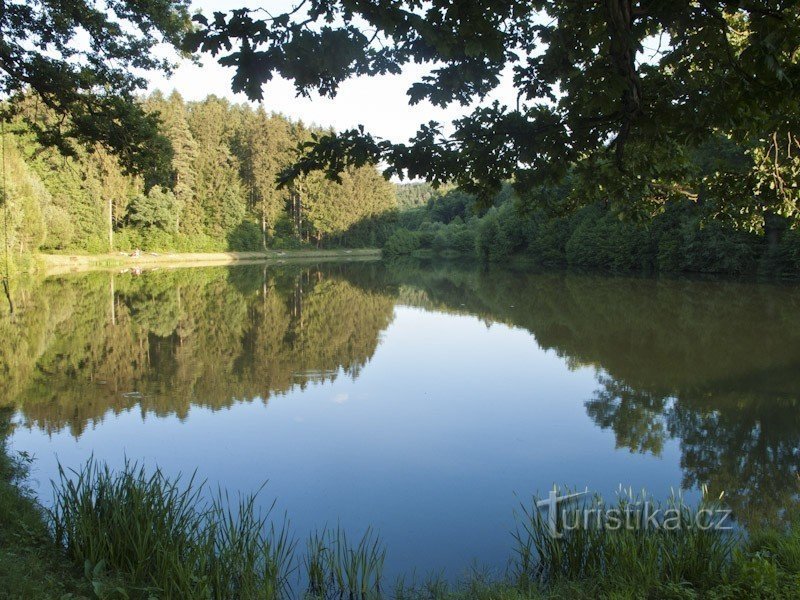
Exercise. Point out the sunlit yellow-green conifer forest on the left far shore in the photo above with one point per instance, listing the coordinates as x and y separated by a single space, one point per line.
221 193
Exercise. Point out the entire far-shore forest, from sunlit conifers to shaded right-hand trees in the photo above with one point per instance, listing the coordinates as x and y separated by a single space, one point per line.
222 194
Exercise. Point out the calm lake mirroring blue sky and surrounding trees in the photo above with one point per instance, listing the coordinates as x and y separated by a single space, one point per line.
426 401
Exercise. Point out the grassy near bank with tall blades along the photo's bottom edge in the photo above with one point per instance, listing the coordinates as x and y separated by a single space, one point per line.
140 534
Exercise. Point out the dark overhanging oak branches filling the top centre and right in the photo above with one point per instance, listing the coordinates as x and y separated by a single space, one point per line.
604 82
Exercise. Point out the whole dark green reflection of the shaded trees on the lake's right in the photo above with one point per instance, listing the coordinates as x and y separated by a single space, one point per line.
713 364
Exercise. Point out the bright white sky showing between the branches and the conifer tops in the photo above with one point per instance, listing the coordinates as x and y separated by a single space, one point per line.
379 103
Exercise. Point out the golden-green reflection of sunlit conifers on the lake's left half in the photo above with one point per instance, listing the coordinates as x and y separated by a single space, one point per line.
169 340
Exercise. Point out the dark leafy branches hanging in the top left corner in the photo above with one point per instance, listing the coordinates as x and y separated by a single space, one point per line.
84 61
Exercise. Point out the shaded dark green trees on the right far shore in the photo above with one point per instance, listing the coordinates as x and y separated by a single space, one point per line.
682 236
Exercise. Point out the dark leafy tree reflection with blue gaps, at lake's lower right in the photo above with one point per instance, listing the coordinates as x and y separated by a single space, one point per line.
742 443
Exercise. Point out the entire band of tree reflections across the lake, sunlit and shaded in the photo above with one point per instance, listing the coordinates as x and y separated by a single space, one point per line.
712 365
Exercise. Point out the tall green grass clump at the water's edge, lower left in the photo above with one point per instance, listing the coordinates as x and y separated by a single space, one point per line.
164 539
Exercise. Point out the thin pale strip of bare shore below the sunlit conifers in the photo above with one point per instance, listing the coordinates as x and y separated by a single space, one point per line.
72 263
